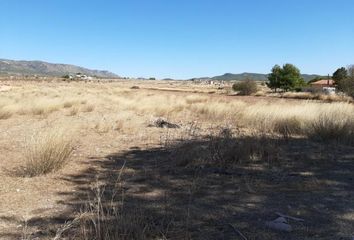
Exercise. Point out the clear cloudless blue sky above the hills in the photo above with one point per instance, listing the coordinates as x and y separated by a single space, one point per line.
180 38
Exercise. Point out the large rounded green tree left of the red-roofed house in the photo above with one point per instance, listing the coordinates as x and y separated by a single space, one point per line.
287 77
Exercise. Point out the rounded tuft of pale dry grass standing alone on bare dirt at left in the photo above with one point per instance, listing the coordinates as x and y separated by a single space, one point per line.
46 152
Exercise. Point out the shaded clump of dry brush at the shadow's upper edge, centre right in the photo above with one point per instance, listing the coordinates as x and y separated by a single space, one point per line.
225 150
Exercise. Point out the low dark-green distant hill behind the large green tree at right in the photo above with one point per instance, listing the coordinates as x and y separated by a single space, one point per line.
252 76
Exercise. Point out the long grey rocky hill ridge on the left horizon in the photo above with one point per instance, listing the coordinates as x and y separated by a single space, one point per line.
40 68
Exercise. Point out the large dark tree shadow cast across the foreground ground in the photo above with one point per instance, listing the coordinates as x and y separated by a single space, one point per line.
179 189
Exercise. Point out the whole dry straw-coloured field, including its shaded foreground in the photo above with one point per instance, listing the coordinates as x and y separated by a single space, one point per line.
98 161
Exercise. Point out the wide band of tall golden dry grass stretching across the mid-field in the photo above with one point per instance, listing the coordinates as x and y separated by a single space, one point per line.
314 119
